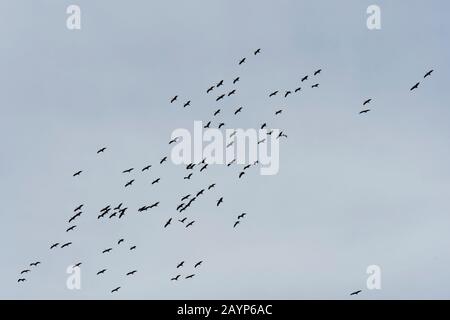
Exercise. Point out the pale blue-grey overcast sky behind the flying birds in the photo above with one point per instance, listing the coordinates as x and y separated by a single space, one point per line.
352 190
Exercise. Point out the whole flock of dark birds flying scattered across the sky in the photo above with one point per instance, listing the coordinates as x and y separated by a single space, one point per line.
120 210
